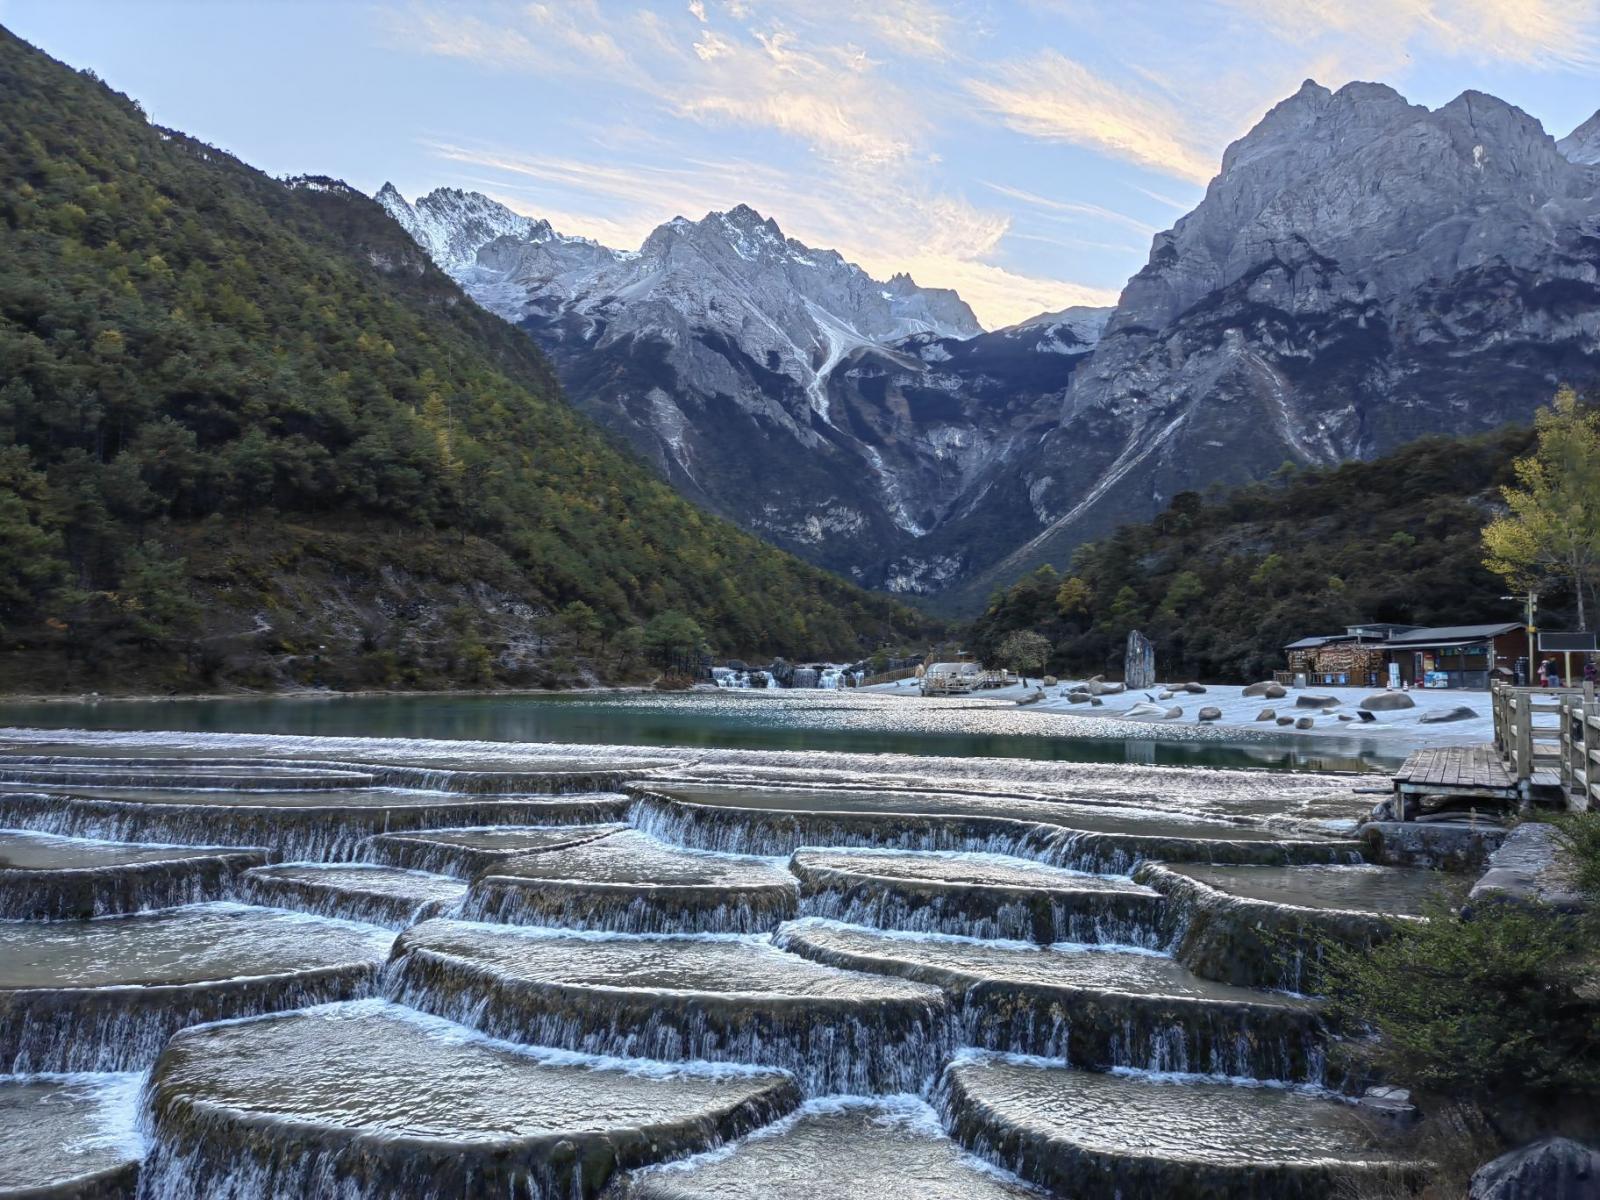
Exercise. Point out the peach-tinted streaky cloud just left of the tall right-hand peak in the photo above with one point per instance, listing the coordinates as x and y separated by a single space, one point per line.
1058 100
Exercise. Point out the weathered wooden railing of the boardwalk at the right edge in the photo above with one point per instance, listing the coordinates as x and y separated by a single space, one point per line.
1551 737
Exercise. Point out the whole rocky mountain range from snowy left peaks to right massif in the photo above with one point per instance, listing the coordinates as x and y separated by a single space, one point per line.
1362 271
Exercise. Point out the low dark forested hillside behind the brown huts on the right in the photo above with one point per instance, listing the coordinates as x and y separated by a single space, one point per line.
1222 583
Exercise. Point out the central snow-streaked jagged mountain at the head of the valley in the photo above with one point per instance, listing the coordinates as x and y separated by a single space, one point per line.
770 382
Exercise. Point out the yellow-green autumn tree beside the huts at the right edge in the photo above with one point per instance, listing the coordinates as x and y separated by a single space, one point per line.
1553 527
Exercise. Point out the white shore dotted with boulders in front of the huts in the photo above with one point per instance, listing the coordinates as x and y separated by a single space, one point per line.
1404 729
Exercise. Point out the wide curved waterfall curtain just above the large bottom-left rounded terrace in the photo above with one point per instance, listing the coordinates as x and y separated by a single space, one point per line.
863 1049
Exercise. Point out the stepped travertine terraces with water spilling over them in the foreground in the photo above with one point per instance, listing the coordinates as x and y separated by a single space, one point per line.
362 969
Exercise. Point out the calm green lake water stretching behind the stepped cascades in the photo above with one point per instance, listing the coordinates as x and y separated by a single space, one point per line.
751 721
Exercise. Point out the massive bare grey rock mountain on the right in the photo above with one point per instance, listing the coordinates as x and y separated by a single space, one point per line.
1361 273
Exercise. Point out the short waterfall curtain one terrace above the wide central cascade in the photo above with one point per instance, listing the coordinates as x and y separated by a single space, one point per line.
511 902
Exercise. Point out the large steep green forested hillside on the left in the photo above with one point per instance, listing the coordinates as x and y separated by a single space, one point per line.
250 434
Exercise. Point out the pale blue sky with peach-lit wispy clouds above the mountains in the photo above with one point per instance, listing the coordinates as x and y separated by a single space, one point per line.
1020 151
